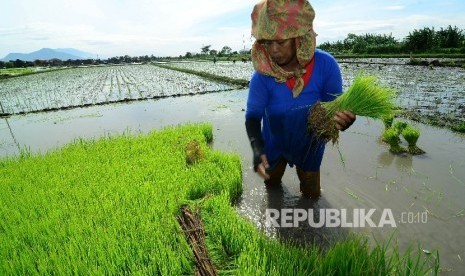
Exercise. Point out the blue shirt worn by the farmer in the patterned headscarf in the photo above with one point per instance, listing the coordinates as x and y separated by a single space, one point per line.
284 118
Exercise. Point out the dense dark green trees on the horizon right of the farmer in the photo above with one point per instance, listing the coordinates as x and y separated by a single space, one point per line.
450 40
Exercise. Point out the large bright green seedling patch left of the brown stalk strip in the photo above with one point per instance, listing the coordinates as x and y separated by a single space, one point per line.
108 206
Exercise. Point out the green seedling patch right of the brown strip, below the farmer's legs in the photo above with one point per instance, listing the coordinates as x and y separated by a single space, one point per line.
238 249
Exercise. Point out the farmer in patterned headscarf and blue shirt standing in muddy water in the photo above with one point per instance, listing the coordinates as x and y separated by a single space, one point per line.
290 76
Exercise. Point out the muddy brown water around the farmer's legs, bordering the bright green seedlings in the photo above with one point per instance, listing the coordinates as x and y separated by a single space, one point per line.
425 194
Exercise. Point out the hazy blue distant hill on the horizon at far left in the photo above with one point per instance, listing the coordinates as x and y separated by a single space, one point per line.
47 54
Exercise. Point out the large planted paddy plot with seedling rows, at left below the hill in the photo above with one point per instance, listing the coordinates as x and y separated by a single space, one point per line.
79 87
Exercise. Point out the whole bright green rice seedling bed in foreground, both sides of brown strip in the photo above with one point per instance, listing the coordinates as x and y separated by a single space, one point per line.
111 206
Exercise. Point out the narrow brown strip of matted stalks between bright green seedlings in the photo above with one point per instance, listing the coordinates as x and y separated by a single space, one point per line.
194 230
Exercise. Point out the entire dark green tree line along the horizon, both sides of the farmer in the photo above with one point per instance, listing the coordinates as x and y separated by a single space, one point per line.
450 40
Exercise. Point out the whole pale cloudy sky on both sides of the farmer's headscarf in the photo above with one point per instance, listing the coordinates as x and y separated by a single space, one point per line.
108 28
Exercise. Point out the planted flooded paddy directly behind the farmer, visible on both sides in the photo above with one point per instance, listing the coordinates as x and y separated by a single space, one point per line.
432 95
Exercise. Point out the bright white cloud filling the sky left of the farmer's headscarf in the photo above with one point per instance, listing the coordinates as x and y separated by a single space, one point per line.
164 27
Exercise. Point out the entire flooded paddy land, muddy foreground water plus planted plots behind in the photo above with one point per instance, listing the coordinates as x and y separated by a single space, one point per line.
426 193
